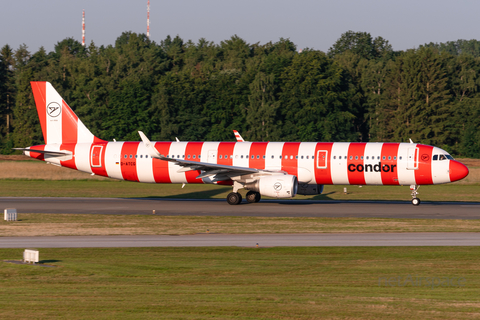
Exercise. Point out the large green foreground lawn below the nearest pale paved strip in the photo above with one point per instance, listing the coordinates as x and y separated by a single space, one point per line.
242 283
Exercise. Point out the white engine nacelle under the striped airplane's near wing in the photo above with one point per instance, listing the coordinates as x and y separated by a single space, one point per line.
275 186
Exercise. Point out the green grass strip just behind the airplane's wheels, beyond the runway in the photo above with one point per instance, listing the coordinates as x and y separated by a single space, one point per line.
124 189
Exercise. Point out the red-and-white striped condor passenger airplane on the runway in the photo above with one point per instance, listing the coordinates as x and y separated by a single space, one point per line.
273 169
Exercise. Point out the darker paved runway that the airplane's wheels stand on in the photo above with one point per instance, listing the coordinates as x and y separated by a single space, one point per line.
265 208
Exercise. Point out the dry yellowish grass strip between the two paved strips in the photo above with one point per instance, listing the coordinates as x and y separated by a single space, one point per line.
31 224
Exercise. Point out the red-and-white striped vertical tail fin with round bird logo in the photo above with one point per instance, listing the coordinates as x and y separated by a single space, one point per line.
59 123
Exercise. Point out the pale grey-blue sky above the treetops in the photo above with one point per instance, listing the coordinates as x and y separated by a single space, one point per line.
315 24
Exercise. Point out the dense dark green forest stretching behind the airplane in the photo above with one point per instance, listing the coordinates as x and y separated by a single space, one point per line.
360 90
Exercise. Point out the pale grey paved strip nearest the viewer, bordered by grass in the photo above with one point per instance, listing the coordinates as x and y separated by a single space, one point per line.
248 240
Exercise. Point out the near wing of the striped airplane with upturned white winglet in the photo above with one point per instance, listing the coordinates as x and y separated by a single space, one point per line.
209 169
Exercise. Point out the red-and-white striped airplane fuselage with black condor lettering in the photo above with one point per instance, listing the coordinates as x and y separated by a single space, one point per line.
313 163
